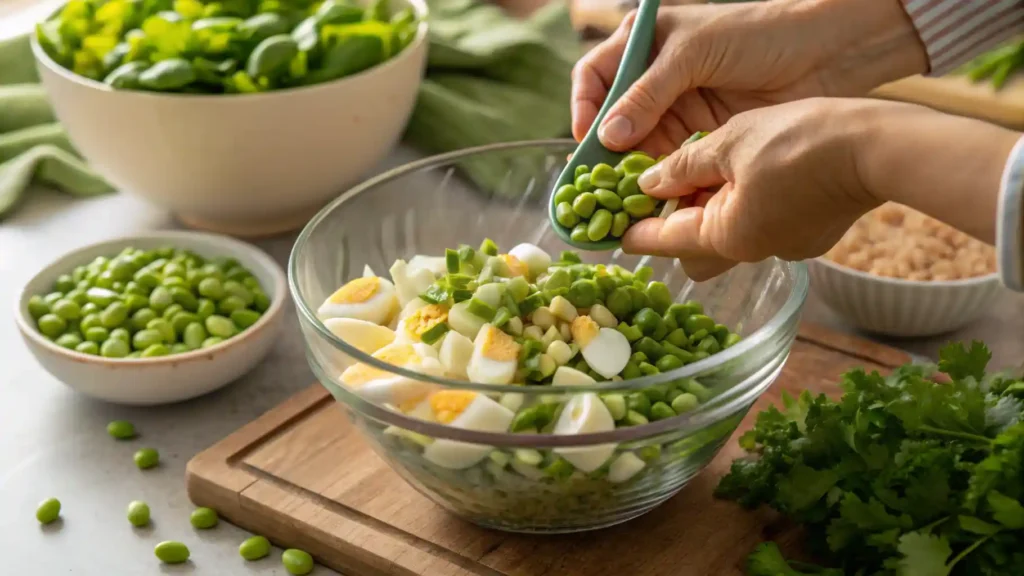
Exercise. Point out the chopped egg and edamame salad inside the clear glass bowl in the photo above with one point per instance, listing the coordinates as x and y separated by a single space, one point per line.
520 318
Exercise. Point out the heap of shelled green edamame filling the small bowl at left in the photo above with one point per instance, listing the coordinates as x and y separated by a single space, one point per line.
145 304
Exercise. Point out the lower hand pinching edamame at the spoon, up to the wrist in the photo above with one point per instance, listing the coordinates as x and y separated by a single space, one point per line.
790 187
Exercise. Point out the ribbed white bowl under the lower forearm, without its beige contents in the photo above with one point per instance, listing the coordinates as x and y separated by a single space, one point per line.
902 308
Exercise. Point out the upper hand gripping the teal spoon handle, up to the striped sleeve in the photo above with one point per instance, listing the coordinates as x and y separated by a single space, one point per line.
713 62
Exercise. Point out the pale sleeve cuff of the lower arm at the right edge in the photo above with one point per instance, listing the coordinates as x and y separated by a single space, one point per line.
1010 221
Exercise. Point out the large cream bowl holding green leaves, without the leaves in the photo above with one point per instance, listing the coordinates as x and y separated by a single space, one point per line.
241 164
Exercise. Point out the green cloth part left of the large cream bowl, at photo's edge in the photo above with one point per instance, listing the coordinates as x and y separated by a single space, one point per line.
34 149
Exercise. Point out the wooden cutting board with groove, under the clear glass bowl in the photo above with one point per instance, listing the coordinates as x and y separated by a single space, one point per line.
303 477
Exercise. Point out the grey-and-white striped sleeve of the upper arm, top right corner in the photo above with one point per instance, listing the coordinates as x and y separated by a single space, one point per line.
956 31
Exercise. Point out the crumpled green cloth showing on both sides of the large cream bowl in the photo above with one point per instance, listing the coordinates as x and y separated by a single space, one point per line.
490 78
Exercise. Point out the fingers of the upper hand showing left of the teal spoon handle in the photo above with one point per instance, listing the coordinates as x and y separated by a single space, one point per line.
592 77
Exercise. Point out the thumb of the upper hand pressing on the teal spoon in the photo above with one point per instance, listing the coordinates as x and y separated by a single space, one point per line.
636 114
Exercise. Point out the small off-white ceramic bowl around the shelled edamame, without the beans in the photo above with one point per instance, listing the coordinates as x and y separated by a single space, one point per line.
168 379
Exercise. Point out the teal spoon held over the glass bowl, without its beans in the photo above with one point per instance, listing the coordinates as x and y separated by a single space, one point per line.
590 151
